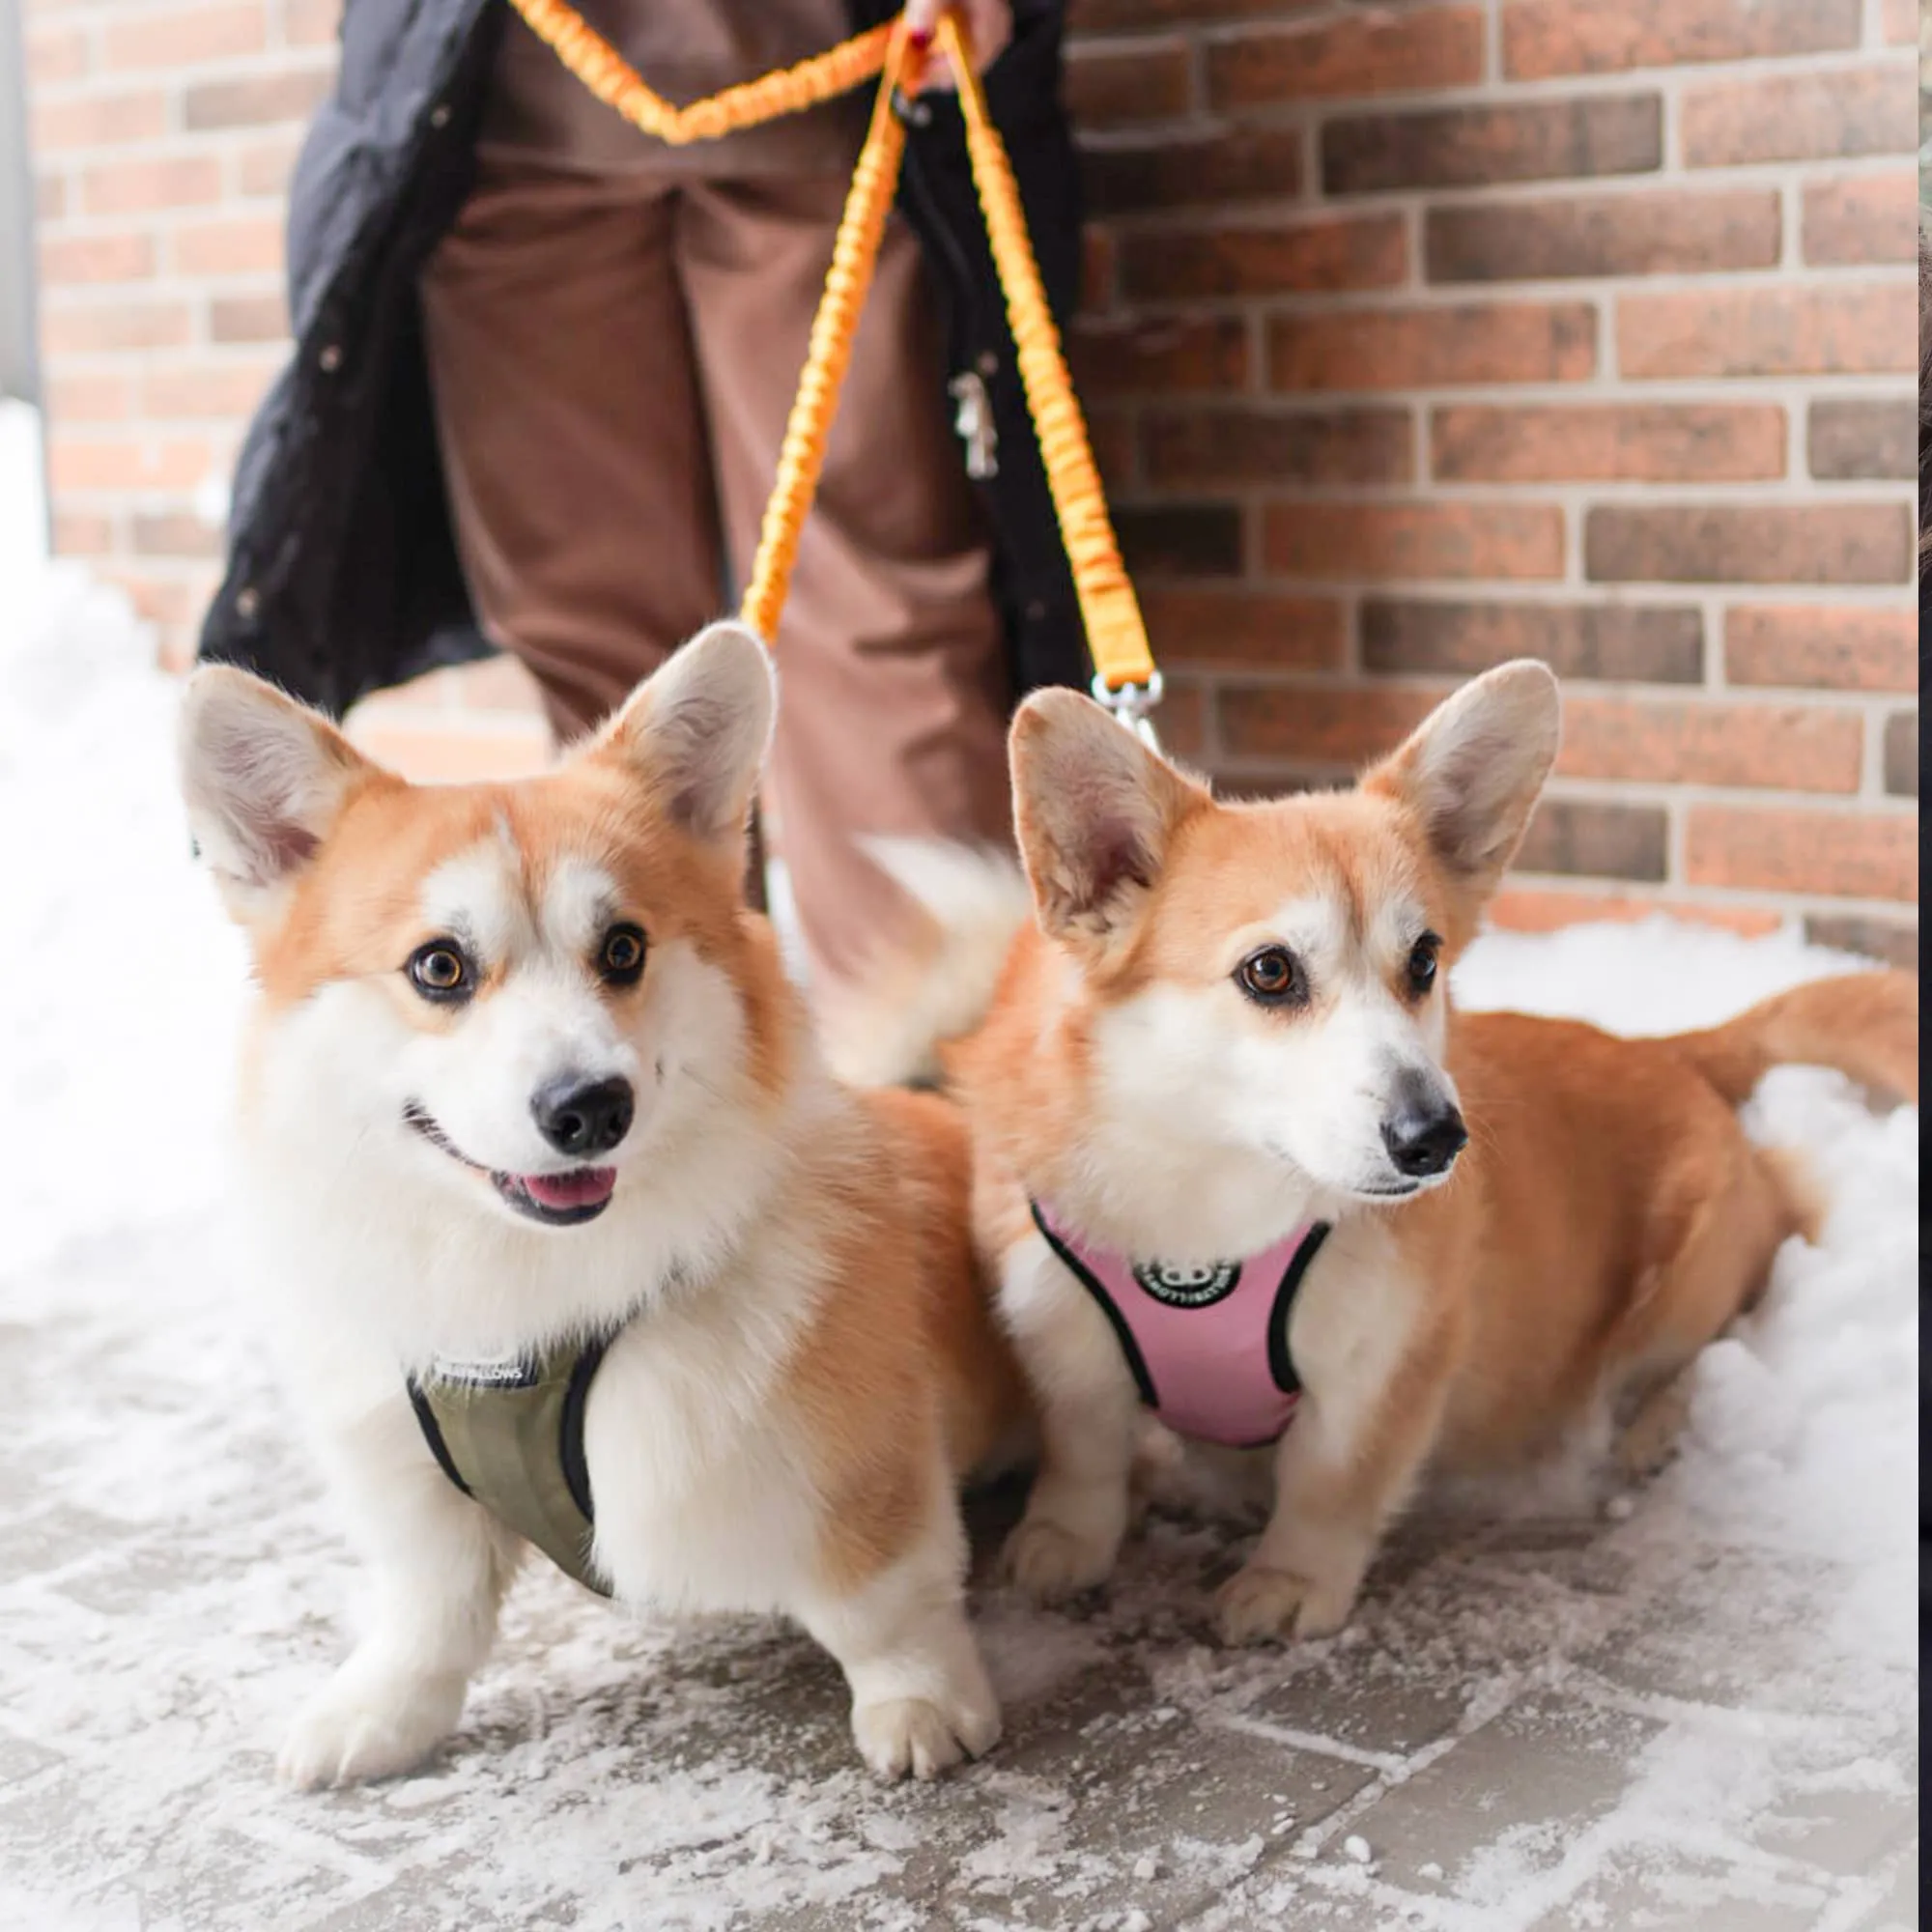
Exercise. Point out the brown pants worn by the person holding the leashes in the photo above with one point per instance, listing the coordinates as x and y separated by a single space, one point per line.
613 364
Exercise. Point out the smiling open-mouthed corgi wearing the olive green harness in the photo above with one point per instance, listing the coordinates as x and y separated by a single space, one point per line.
523 1069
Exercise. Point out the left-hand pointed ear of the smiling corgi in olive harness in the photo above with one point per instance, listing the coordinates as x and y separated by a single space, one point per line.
264 781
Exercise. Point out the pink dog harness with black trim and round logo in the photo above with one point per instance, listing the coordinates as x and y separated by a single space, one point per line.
1208 1346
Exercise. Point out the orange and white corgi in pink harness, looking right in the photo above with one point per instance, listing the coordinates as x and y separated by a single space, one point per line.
1237 1160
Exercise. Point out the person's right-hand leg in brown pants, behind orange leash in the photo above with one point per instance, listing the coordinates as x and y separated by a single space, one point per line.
892 658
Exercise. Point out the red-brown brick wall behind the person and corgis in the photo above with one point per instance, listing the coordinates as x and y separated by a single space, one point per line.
1419 335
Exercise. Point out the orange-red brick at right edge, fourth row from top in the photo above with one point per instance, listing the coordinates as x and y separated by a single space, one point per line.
1786 329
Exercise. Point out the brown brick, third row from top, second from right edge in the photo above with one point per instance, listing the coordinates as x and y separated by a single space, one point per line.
1655 233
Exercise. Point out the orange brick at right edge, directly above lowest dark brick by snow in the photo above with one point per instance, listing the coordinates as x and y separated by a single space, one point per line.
1836 855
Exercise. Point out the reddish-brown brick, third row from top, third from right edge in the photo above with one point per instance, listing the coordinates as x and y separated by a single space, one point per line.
1272 260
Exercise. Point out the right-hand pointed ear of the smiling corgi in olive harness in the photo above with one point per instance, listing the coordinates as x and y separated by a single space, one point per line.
698 731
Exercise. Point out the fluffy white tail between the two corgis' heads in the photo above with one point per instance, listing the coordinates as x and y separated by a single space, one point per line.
940 984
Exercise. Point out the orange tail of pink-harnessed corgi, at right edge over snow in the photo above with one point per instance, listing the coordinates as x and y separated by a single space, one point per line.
1865 1025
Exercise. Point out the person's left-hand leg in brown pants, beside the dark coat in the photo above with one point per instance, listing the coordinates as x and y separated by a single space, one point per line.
571 432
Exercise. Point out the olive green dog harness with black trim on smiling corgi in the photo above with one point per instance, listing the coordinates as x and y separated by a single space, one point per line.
511 1436
